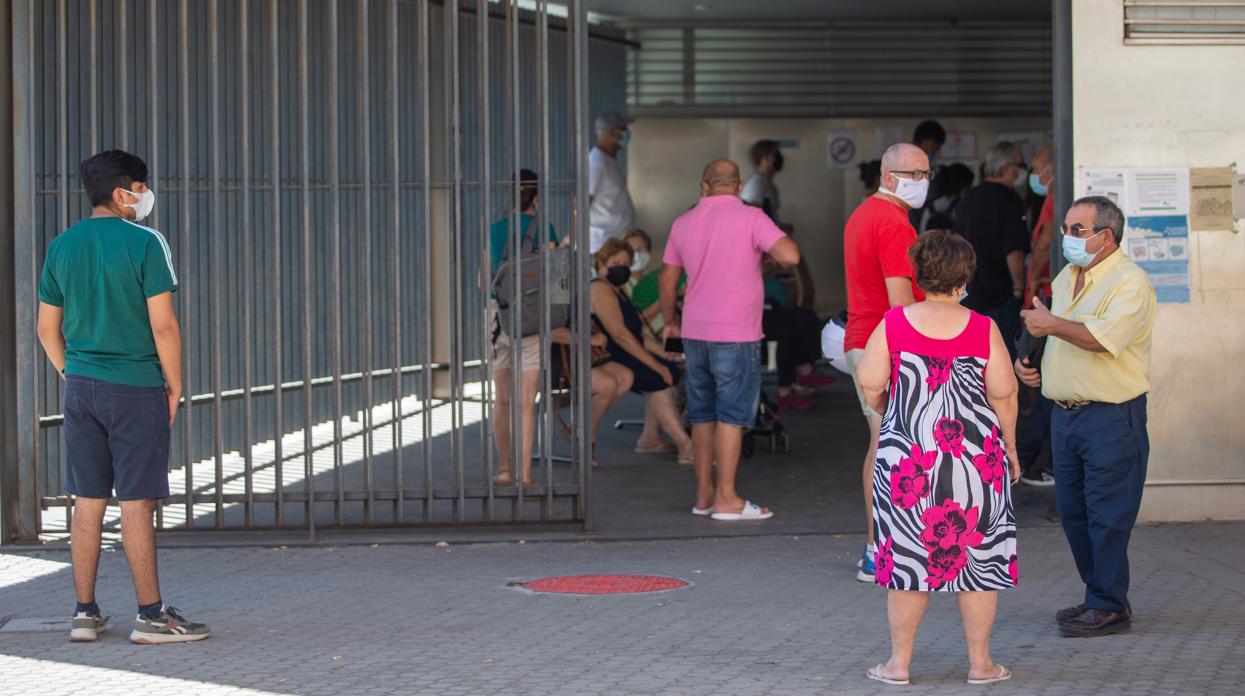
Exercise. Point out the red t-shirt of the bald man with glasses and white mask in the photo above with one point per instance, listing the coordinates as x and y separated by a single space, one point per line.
876 243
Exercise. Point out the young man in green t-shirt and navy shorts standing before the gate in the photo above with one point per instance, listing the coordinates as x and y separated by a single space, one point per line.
106 322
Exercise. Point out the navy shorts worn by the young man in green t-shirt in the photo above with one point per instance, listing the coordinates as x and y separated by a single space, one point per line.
116 438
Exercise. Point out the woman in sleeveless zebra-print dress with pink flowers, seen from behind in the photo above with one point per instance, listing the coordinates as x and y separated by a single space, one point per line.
947 459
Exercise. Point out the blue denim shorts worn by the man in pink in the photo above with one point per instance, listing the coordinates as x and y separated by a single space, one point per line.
724 383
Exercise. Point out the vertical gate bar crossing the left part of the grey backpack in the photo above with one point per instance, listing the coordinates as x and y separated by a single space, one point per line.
512 89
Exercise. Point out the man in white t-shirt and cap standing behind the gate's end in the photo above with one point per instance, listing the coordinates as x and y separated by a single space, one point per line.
609 205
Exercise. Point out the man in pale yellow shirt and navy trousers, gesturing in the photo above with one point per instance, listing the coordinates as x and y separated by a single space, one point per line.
1096 369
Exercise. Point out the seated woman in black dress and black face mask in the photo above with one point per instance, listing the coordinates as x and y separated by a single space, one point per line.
631 349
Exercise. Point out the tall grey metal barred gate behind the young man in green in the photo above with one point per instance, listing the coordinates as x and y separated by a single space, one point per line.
327 174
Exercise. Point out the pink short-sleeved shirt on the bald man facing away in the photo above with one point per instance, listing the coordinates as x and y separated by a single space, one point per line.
720 243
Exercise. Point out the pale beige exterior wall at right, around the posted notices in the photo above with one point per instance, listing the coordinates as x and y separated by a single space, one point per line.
1177 106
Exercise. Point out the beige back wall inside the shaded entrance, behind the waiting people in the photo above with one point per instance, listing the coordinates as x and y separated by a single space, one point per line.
667 156
